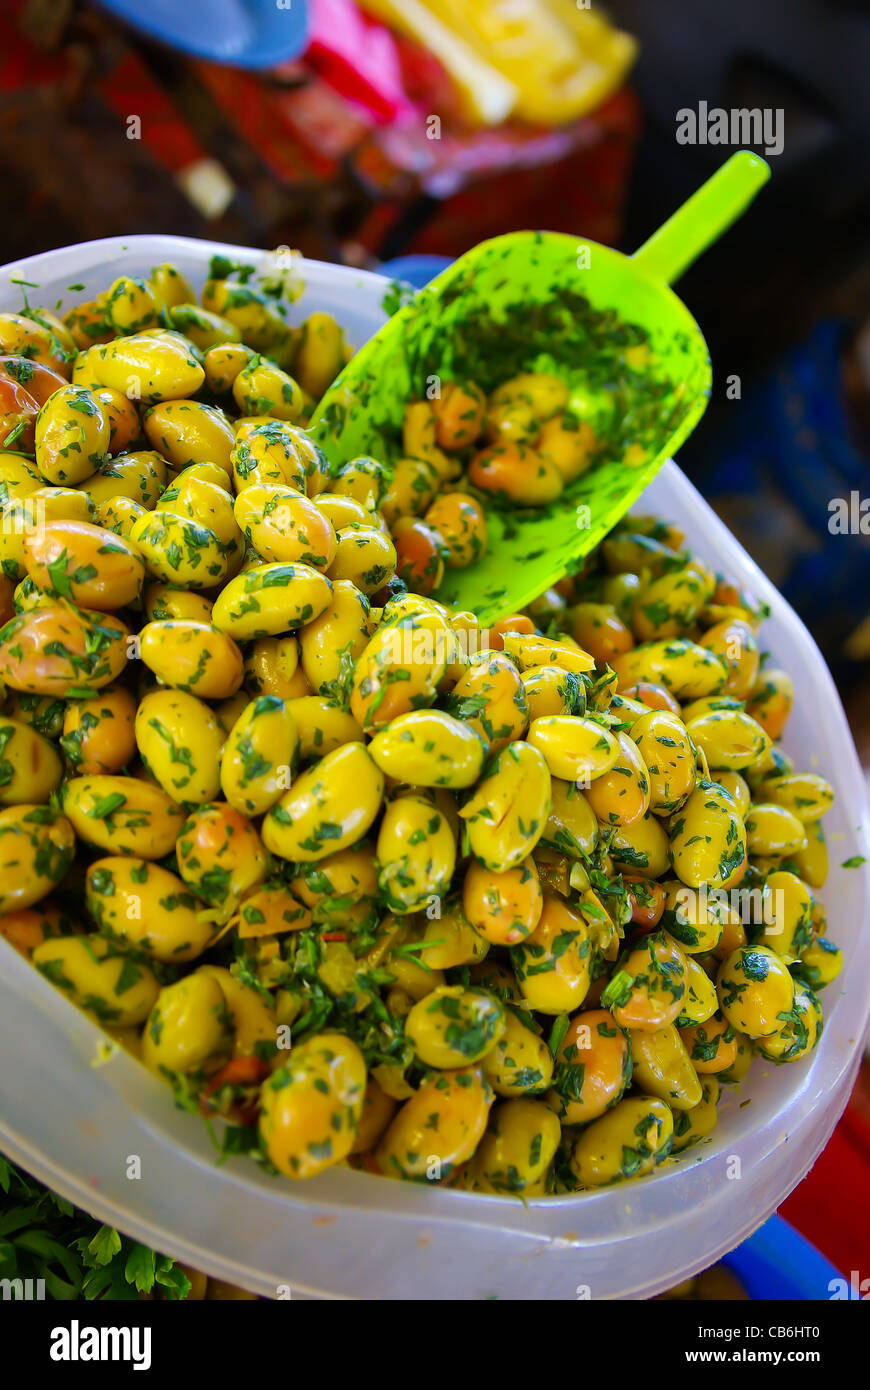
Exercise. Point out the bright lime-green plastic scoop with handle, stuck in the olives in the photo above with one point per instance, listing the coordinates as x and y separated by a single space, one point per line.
634 359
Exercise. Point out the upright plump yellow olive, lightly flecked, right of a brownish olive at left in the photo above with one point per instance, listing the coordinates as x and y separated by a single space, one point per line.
181 743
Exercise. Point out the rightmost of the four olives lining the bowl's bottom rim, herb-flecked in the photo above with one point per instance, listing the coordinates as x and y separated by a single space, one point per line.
627 1142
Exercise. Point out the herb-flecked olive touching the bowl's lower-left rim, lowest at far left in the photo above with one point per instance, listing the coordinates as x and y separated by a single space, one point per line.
99 978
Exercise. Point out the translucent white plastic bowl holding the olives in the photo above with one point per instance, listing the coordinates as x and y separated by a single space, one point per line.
77 1122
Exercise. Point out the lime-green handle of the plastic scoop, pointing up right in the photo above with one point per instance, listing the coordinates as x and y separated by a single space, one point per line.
703 219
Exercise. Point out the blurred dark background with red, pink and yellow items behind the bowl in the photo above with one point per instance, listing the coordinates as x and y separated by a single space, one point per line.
366 133
